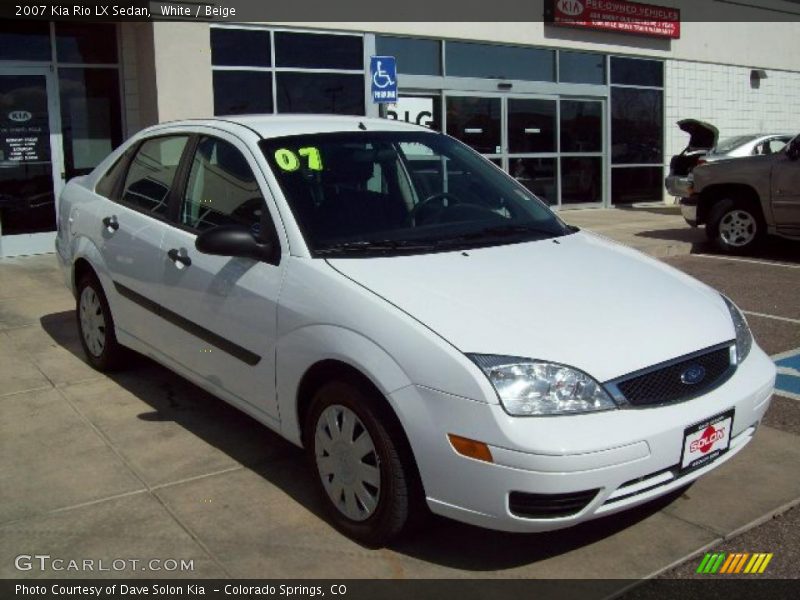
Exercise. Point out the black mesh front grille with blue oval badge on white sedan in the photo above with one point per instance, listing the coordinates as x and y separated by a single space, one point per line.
664 385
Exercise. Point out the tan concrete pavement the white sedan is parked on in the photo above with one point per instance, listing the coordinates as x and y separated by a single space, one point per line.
144 465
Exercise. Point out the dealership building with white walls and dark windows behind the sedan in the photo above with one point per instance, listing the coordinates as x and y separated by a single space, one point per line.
582 113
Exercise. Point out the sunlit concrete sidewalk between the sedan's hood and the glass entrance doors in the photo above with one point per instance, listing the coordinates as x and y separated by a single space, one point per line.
658 230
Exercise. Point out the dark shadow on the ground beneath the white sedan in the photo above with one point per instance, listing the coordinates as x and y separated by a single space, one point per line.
437 540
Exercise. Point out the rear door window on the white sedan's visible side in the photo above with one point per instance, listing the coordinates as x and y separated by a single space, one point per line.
152 173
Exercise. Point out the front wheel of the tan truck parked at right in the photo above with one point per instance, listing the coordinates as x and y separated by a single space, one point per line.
735 226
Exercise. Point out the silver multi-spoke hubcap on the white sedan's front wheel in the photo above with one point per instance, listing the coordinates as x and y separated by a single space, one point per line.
347 462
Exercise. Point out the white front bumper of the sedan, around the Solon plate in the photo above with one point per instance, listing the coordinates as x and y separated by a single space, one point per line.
629 456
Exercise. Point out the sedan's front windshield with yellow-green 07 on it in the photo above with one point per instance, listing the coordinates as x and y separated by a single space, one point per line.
367 193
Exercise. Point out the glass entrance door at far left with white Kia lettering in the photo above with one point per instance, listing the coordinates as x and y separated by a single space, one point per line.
30 161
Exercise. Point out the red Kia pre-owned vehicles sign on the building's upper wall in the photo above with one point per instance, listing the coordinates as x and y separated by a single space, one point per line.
618 16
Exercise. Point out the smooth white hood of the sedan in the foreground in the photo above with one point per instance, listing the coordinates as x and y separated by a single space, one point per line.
579 300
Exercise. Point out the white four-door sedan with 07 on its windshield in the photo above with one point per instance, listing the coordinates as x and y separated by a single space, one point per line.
426 328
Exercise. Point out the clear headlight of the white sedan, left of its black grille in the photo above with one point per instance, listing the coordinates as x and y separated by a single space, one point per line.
532 387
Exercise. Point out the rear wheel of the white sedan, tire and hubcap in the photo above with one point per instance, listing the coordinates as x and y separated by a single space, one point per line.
96 326
